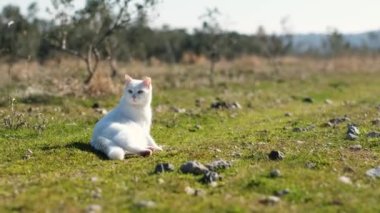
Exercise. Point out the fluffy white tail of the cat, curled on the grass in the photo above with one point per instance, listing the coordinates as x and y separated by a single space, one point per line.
107 147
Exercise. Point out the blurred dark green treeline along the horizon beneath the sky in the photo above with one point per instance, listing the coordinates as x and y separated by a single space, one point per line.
27 37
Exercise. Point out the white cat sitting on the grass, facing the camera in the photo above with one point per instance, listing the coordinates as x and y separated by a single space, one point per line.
126 129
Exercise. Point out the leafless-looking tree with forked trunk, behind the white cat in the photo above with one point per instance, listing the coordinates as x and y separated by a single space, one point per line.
101 19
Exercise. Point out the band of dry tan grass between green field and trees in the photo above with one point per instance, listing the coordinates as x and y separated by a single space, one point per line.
65 75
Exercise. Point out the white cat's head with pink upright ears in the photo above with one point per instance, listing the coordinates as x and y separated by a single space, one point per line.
138 92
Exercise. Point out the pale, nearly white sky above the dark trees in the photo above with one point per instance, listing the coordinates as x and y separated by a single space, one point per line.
304 16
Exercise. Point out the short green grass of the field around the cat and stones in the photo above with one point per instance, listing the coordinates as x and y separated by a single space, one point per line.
47 165
